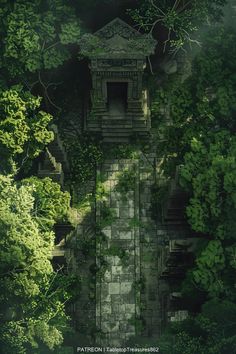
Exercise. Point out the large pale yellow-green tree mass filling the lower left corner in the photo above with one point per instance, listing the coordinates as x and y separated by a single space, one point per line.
32 302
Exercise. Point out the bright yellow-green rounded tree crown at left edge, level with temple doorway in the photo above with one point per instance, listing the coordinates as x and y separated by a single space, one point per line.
23 126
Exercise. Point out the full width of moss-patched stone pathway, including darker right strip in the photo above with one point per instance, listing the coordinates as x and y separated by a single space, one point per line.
127 303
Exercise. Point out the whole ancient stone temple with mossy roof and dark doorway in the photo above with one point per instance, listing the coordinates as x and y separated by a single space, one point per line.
119 101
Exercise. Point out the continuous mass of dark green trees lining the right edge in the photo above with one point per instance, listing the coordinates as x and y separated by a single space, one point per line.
201 139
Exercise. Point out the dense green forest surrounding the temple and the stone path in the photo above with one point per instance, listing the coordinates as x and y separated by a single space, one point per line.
44 82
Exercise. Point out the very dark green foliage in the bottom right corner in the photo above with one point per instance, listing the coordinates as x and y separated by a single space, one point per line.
212 331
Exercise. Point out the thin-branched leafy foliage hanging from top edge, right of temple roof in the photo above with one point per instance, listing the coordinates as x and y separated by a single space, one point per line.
180 18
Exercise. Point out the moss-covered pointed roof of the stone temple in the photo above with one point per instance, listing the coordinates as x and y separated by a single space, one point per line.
117 39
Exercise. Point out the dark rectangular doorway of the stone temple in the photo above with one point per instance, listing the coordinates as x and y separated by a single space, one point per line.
117 95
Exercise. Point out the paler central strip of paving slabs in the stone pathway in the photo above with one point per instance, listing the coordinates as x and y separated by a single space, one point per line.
118 250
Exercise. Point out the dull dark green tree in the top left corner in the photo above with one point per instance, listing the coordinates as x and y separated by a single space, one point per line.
38 37
